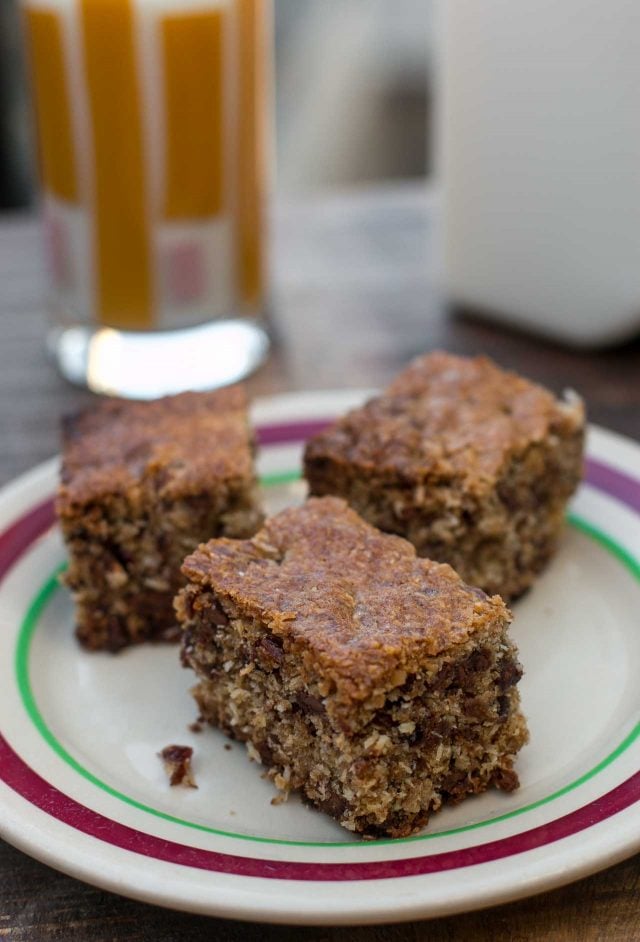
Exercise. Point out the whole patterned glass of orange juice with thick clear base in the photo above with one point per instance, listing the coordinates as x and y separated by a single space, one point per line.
153 128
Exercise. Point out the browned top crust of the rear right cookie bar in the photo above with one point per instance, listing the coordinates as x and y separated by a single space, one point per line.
447 418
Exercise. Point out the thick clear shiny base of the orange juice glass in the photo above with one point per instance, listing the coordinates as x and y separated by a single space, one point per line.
146 365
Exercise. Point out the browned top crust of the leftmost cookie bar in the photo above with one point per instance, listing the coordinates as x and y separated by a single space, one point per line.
174 446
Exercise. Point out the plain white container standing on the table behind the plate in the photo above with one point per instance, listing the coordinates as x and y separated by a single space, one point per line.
540 155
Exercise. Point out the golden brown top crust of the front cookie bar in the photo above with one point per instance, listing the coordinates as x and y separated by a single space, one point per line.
359 604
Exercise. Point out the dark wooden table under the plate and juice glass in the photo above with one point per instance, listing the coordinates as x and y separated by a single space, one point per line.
354 298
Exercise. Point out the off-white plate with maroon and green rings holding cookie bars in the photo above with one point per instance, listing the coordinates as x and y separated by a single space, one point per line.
82 787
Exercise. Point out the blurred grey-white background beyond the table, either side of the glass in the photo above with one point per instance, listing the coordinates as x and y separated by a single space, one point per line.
353 80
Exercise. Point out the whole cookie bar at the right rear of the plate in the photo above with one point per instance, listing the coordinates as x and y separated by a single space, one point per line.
472 464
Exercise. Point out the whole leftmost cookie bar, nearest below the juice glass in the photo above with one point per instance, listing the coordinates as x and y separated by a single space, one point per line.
142 484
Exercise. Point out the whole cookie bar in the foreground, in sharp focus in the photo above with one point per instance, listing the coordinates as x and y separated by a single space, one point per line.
375 682
